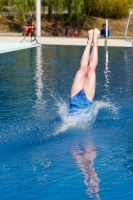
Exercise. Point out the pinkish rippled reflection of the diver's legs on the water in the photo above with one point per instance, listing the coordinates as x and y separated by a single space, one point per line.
85 160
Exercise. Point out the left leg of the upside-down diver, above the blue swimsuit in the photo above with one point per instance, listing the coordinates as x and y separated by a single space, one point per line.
79 79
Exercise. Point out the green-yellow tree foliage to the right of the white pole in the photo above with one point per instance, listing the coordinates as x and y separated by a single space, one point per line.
102 8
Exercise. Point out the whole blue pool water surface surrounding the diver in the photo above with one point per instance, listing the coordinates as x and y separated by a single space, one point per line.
47 155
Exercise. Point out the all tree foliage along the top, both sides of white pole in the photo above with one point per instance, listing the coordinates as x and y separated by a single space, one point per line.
102 8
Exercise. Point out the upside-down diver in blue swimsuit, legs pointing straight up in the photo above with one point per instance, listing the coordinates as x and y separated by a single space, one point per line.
84 84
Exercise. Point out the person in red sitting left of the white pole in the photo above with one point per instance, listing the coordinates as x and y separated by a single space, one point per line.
28 28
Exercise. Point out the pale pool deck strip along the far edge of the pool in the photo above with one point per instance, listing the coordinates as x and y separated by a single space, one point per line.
67 41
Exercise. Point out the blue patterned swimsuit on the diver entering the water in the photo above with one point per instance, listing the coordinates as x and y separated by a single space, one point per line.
79 102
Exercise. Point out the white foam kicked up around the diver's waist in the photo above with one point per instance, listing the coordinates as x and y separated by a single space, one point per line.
82 119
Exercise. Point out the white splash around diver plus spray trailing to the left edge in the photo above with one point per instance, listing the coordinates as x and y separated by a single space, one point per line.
38 130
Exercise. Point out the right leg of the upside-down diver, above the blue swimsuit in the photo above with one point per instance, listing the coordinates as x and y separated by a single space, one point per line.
90 80
